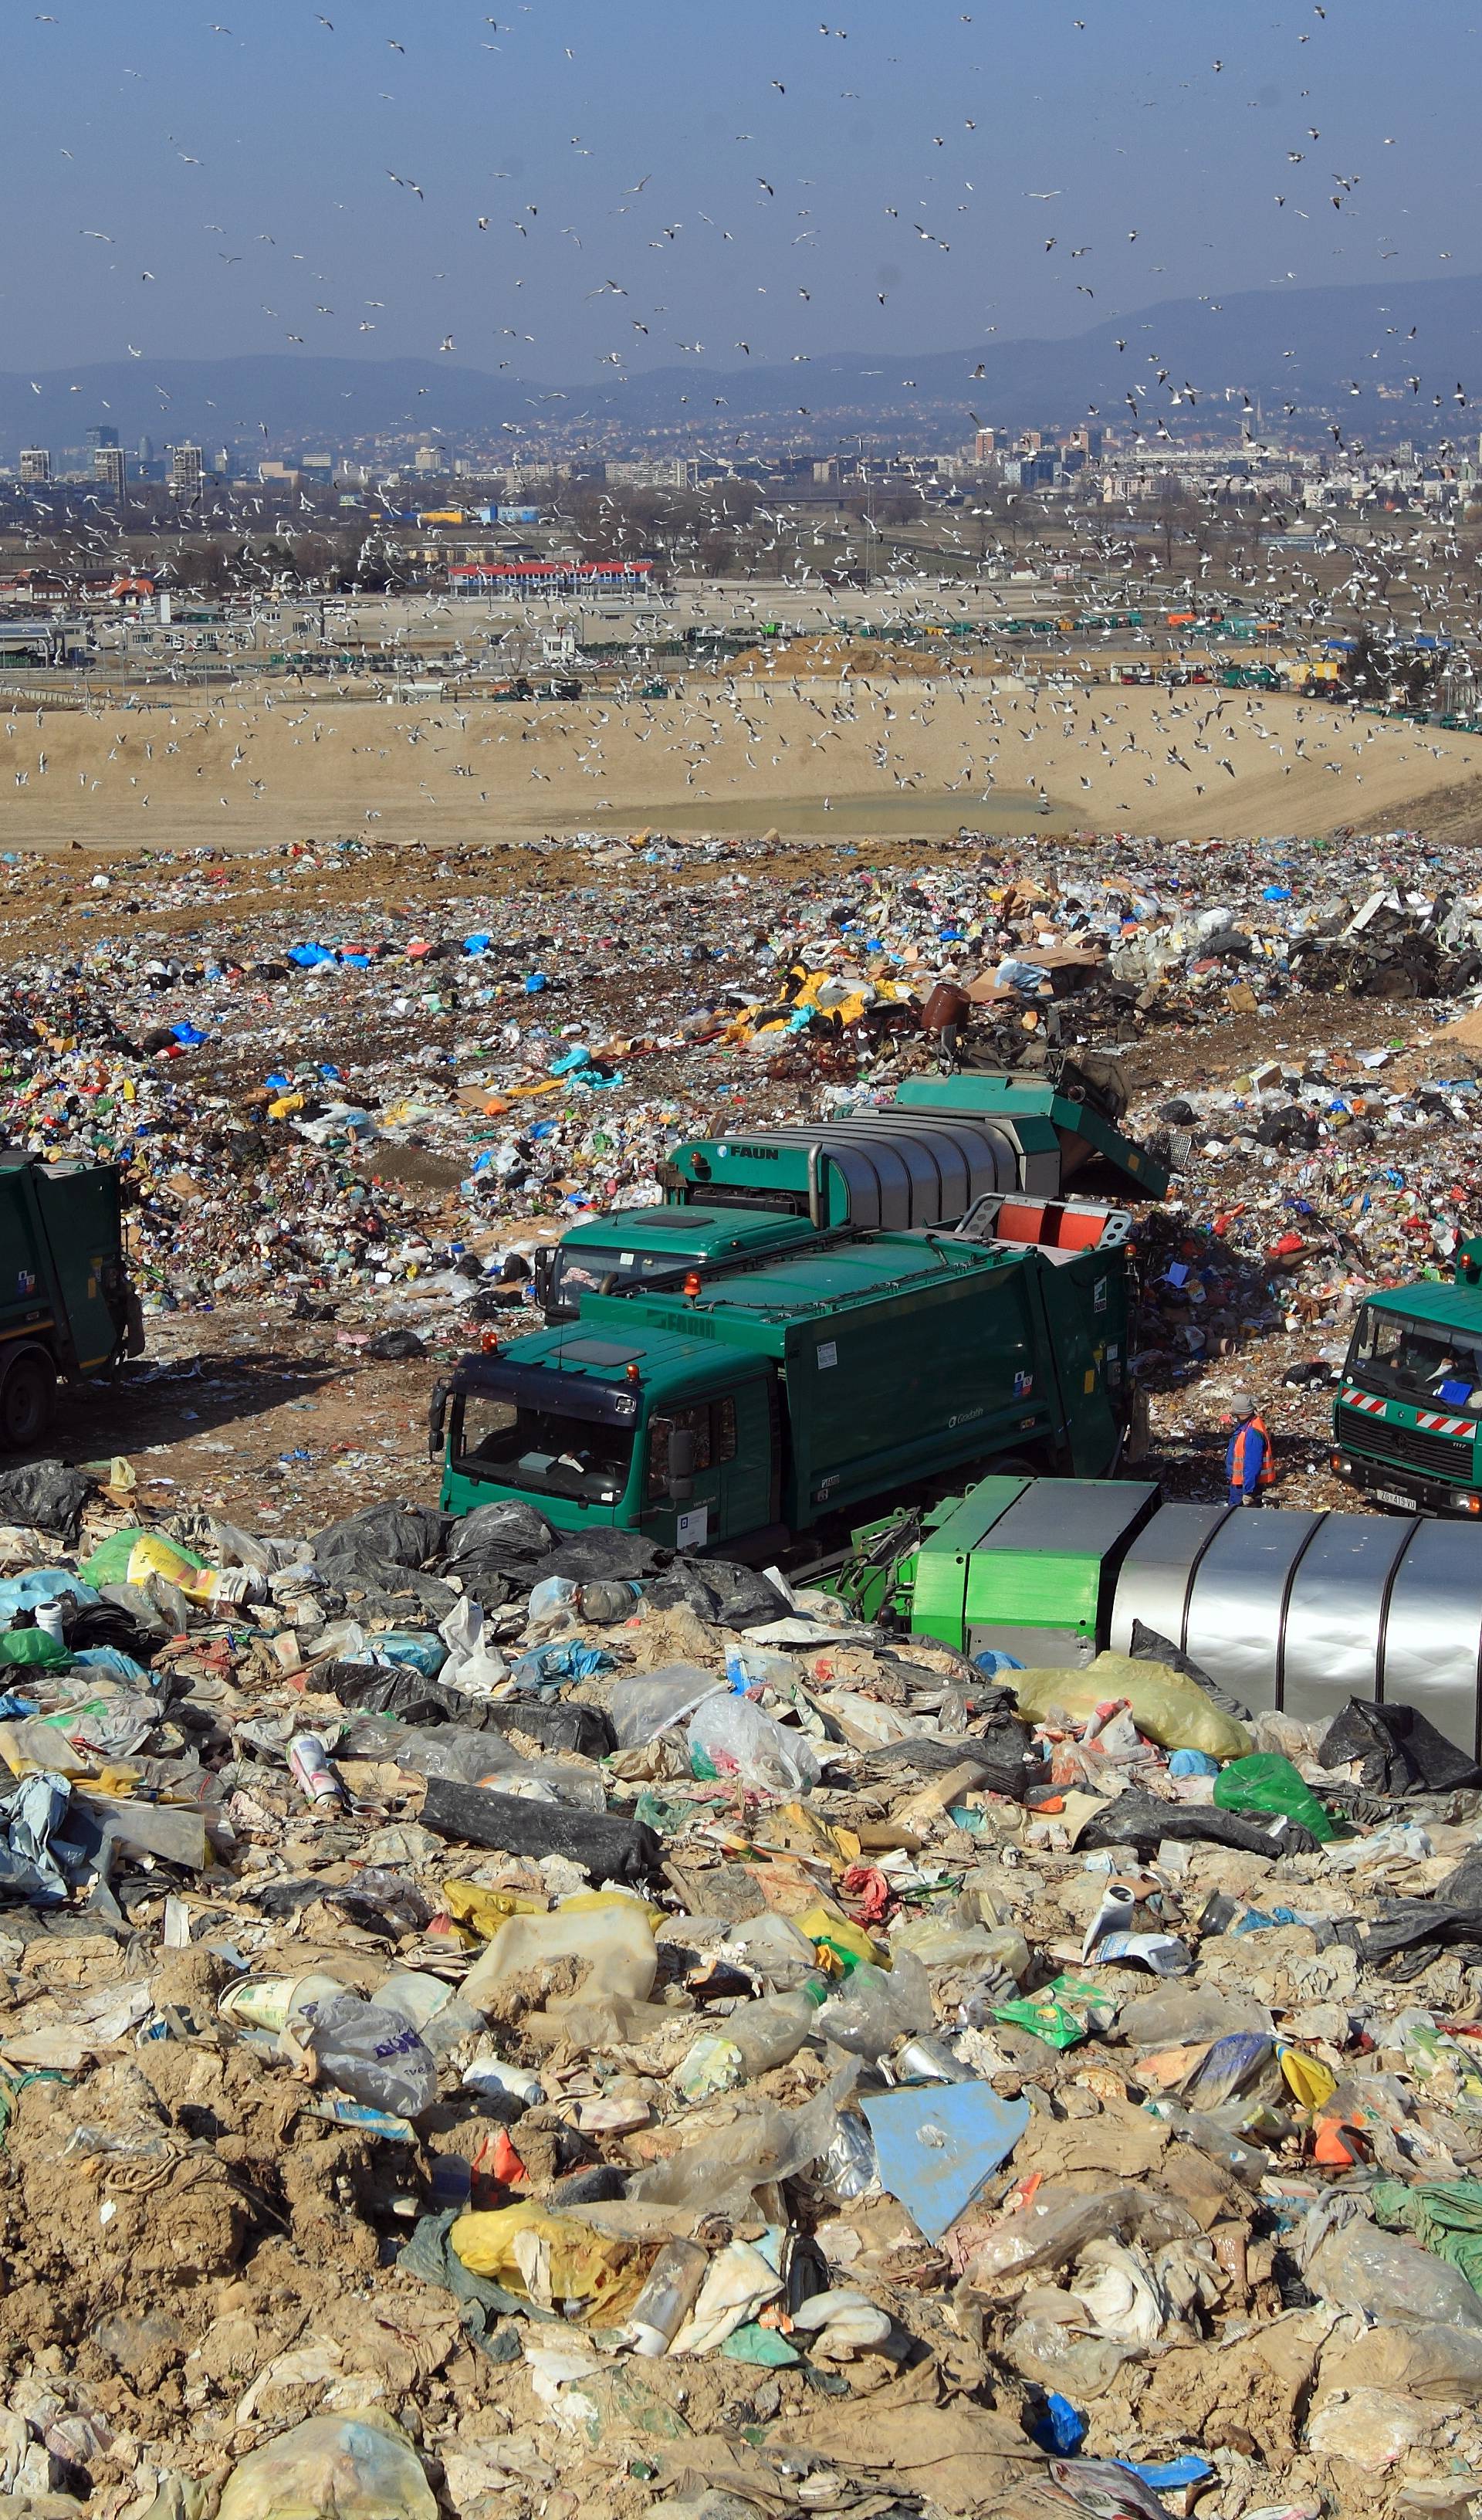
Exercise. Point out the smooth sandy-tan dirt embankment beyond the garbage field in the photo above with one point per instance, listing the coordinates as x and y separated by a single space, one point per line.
737 752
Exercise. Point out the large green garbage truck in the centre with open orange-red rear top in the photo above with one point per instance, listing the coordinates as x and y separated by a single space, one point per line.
750 1407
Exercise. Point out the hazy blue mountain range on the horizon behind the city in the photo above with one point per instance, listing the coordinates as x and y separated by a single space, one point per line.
1304 349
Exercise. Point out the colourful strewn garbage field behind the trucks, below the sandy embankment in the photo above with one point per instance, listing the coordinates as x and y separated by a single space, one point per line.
279 1135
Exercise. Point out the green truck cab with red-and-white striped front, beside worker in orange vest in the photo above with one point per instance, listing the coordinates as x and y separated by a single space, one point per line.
1408 1417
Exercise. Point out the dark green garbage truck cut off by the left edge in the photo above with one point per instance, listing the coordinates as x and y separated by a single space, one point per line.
67 1302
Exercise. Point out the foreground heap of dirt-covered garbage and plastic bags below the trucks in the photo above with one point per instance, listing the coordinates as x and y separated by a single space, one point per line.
500 2017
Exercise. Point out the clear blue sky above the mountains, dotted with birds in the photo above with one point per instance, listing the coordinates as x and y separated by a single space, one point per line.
669 180
